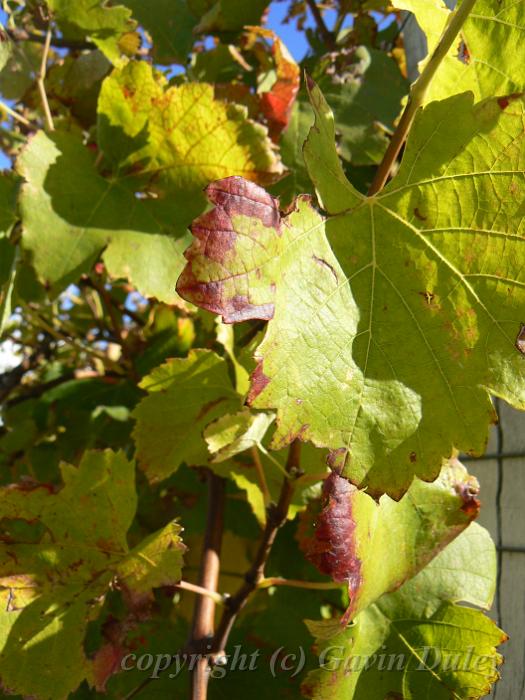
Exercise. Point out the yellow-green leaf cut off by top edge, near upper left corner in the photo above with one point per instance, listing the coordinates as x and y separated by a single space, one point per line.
96 21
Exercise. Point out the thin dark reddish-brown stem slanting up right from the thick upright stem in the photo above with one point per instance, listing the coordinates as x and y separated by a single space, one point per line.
277 515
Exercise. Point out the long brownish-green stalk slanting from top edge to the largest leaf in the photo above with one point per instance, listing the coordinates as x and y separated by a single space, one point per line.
417 94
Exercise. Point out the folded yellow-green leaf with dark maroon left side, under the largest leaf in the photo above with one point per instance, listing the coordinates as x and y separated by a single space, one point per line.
374 547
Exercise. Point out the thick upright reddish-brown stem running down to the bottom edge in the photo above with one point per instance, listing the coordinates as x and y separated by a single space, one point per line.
204 611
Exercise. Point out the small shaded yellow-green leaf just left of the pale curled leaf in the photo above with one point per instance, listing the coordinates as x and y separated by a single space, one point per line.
185 395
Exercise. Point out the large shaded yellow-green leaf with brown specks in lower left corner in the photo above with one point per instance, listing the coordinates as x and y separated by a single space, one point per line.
56 571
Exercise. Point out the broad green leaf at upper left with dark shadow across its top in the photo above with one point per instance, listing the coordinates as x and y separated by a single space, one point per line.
65 233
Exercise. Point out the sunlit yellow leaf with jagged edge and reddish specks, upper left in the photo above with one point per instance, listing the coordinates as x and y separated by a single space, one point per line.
177 139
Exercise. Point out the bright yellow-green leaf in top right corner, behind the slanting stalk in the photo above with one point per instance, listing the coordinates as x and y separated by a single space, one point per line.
474 62
